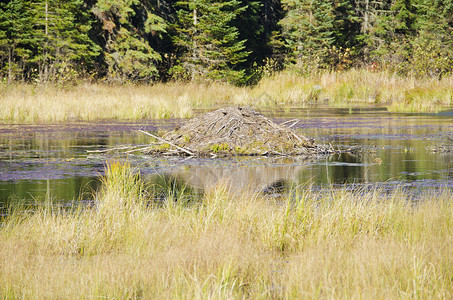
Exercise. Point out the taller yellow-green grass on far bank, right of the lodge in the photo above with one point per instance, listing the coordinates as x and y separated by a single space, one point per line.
405 94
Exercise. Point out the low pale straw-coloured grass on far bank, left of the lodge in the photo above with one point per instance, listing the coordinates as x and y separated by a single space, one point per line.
33 104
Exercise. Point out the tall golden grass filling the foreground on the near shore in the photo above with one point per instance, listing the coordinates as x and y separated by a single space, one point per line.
341 244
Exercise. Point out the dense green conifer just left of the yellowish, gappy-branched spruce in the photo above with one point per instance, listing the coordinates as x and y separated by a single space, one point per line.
65 50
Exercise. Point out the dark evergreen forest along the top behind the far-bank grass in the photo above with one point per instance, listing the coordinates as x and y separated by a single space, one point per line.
234 41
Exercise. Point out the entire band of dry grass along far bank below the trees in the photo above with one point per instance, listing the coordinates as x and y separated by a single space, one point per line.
33 103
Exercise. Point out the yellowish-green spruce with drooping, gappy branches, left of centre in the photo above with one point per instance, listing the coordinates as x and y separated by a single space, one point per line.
128 26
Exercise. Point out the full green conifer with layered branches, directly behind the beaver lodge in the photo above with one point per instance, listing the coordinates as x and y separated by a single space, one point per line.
208 42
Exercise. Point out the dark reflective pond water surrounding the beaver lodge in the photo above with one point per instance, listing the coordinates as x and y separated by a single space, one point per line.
37 161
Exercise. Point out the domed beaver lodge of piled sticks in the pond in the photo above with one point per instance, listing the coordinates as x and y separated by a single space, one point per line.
234 131
